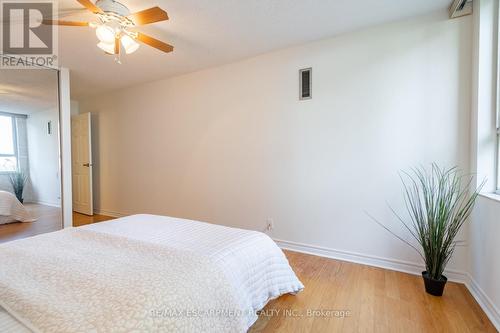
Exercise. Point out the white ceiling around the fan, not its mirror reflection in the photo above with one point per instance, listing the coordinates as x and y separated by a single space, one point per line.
207 33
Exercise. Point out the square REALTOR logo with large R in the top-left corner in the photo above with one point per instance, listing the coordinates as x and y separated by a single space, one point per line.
24 37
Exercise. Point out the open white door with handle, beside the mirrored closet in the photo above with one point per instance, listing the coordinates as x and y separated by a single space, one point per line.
81 154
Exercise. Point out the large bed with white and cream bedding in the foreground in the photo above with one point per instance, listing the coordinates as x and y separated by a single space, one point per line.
141 273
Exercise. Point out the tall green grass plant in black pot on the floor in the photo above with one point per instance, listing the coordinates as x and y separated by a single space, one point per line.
439 202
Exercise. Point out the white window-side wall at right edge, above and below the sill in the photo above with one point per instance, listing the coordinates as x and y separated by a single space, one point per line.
485 227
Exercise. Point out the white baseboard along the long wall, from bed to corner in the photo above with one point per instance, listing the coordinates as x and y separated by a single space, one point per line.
392 264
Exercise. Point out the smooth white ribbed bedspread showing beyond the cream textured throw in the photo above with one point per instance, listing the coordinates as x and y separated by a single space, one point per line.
253 269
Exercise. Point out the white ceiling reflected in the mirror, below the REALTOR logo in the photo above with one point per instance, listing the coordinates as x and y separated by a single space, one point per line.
28 90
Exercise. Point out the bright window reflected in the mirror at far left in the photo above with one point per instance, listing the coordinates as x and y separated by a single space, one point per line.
8 144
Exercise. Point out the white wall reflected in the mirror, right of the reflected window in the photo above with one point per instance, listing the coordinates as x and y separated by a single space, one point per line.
43 149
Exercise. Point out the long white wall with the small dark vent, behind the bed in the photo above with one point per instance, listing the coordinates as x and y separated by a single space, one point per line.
233 145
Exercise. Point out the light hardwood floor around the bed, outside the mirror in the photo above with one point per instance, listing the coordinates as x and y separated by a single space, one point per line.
346 297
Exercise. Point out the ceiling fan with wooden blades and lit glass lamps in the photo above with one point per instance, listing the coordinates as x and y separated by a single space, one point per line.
114 26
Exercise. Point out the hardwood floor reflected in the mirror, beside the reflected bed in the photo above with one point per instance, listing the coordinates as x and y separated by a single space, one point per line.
48 219
